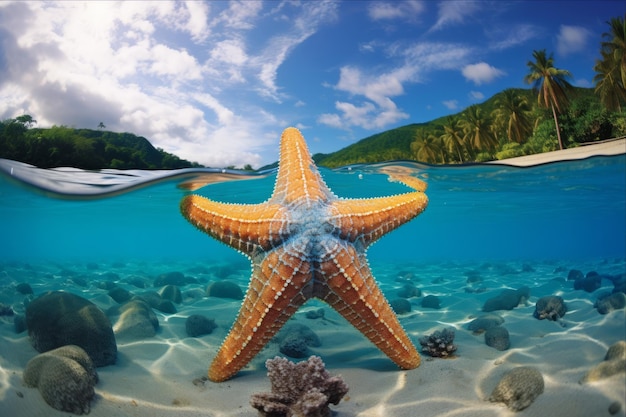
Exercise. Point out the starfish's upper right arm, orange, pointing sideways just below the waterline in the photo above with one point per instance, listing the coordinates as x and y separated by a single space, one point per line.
369 219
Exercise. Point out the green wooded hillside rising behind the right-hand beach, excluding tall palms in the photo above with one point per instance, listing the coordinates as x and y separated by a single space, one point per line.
585 120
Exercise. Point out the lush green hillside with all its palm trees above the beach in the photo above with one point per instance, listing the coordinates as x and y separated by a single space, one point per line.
516 122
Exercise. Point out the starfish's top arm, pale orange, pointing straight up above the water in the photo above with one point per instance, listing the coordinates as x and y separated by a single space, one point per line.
298 178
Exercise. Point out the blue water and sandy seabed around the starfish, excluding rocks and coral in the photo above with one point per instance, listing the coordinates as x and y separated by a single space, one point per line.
487 228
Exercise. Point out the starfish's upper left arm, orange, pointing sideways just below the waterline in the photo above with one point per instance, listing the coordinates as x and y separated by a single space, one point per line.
245 227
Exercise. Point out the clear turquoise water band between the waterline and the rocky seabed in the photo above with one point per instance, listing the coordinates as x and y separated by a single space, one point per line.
559 211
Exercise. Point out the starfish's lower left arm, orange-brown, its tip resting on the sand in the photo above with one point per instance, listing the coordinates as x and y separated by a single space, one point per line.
274 294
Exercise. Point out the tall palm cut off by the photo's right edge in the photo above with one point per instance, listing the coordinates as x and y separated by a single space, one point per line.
611 69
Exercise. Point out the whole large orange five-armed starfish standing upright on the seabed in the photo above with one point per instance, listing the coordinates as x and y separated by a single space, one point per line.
305 242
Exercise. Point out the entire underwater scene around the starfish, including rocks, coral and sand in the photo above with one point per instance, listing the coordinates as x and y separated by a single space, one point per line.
511 285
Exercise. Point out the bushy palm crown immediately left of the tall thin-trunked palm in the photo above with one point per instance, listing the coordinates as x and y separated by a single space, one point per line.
513 111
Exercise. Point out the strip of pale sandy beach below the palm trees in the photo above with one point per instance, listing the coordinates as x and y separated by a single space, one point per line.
607 148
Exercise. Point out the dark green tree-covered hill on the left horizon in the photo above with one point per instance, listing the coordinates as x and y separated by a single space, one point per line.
81 148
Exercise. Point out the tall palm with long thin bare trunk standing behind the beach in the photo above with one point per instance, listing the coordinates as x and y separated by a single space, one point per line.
551 84
